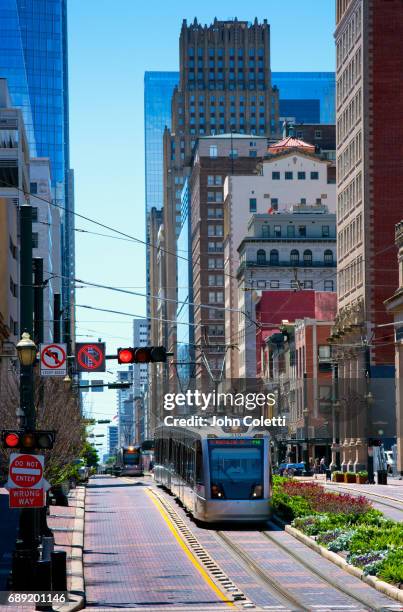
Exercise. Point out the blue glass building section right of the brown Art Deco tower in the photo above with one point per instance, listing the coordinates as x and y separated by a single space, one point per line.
306 97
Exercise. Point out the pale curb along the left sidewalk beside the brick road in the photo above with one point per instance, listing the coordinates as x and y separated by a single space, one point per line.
77 588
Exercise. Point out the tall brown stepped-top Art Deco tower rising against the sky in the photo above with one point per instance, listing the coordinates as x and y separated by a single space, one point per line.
224 86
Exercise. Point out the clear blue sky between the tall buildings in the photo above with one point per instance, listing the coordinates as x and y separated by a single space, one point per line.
111 44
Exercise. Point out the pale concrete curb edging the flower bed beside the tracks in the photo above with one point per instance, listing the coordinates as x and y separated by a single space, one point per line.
379 585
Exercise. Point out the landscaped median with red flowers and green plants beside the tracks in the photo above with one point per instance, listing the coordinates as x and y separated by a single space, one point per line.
347 525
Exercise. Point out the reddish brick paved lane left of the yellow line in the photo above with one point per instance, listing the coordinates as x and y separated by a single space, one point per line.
131 558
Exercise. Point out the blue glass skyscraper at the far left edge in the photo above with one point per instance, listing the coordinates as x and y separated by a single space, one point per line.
33 59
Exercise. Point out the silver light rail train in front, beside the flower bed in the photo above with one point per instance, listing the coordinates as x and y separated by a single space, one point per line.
217 475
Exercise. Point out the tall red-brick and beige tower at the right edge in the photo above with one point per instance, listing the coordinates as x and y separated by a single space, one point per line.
369 107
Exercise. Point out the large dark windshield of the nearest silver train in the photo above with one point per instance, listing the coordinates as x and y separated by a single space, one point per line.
236 469
